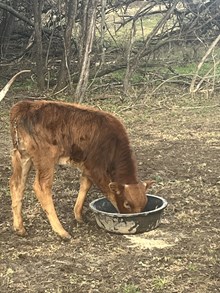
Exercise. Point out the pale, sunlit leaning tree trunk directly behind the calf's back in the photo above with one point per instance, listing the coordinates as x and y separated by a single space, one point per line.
88 22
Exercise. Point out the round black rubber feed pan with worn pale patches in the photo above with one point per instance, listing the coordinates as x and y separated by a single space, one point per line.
109 219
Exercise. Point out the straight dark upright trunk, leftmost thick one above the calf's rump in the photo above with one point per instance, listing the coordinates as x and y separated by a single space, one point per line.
37 9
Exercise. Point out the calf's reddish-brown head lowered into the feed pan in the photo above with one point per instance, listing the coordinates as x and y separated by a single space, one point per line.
129 198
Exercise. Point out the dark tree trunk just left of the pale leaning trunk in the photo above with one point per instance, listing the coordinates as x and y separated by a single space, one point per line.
64 72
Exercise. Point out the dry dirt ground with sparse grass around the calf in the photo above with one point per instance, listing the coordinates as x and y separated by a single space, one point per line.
176 143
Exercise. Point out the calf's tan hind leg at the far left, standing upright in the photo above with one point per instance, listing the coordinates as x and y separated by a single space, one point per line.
21 164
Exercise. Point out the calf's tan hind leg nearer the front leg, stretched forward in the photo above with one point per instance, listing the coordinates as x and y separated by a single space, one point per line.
42 187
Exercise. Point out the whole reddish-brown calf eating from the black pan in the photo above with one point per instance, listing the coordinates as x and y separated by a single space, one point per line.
47 133
